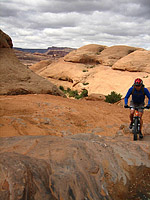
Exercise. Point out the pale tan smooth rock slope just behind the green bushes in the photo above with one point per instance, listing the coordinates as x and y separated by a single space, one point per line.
95 78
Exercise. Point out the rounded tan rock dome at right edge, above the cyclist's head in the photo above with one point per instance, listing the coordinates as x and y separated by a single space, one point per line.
138 61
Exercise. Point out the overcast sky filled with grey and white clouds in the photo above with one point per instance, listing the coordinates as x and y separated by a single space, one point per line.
75 23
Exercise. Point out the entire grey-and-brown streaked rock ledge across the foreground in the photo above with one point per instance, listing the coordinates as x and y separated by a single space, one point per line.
83 166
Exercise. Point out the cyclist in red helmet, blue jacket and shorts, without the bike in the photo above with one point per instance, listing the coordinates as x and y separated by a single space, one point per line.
138 92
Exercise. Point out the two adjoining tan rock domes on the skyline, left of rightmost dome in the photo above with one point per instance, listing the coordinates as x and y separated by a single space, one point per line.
99 54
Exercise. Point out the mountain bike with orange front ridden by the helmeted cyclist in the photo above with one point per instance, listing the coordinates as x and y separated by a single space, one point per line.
136 127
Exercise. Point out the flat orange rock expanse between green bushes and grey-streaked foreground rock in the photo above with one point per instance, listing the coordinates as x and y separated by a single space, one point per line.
52 115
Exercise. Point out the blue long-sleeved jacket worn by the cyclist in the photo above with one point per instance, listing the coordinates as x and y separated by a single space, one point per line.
138 96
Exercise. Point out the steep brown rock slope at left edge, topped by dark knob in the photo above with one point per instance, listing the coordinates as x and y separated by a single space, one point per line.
15 78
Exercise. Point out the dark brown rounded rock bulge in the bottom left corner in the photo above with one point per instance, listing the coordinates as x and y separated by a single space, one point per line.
23 177
